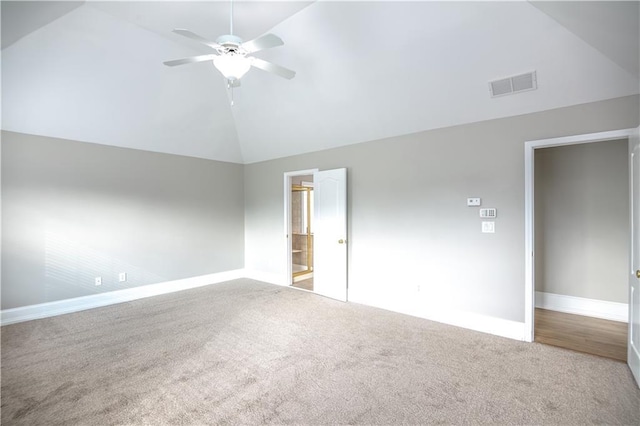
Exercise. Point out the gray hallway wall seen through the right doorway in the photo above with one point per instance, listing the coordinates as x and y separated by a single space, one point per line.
582 220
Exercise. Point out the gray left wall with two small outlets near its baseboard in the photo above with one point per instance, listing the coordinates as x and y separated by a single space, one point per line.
72 211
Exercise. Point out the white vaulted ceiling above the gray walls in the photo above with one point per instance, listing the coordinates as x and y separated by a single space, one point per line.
92 71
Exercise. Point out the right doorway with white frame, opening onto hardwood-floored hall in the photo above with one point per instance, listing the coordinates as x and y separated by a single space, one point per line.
565 233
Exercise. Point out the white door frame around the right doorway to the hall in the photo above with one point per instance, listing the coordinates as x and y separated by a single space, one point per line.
529 208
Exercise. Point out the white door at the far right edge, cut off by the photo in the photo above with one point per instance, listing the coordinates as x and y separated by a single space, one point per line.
633 355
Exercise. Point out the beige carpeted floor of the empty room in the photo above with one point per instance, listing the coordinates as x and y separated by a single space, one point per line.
244 352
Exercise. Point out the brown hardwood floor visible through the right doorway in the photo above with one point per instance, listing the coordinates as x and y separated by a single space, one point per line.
584 334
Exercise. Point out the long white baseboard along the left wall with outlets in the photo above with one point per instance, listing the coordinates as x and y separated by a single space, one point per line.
60 307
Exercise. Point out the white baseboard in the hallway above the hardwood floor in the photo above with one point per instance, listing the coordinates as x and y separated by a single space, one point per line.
581 306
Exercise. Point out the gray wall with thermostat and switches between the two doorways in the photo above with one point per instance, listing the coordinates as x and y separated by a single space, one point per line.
413 242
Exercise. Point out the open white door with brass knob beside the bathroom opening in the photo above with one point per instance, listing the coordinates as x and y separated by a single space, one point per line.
330 233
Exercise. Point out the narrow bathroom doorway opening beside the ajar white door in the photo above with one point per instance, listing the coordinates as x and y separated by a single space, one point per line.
302 220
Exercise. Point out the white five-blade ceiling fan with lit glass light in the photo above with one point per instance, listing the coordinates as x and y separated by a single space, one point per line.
231 54
